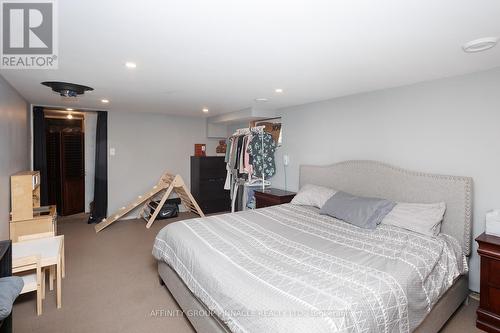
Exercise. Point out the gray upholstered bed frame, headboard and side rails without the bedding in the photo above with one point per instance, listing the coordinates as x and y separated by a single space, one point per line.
370 178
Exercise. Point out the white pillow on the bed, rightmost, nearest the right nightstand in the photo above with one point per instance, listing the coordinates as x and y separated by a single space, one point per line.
422 218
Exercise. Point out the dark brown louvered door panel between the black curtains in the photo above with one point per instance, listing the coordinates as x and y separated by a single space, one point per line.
73 175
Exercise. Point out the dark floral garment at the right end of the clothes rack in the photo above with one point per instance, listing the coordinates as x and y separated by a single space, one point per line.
263 156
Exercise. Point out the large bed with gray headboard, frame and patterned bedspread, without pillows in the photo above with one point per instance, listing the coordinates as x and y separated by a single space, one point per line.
287 268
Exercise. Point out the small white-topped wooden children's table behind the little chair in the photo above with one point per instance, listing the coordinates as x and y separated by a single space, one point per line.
51 252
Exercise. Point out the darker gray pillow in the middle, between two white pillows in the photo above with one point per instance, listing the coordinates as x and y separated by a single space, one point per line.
363 212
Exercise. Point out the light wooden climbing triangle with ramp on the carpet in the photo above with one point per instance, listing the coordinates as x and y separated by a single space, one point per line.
168 183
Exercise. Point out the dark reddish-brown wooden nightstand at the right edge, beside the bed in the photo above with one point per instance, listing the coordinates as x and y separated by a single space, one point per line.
488 313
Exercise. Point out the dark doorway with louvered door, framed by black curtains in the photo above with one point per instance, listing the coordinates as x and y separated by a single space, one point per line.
65 161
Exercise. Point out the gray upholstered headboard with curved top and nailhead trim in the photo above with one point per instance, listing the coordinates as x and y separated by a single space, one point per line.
370 178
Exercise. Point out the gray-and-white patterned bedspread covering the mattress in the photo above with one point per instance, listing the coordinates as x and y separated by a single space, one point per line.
287 268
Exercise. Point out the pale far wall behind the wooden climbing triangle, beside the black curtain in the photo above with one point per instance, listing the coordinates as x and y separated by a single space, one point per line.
147 145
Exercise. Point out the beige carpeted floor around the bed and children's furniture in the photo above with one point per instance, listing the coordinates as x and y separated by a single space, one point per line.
111 285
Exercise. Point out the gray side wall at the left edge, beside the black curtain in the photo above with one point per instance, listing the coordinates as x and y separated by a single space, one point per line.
14 146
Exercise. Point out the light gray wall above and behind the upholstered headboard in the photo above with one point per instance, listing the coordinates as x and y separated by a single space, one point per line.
449 126
